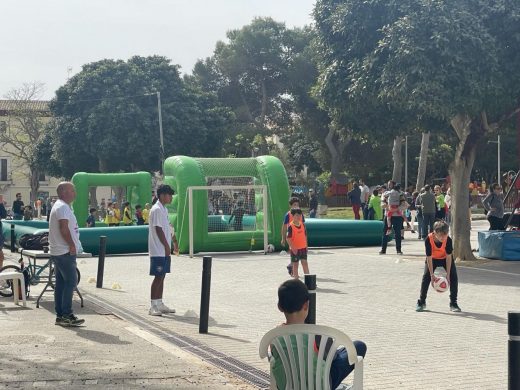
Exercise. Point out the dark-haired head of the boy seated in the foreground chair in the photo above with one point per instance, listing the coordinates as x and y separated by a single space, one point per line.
293 301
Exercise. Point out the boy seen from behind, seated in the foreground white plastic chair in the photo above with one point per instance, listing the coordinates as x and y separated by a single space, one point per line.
293 302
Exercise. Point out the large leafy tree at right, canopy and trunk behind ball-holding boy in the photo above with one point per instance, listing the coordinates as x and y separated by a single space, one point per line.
454 61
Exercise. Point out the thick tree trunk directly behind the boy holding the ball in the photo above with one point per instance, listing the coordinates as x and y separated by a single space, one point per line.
469 132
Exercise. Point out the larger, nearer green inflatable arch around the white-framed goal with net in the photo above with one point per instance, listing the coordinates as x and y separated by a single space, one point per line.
182 172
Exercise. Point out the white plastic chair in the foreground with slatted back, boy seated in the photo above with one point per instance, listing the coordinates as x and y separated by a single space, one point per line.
294 360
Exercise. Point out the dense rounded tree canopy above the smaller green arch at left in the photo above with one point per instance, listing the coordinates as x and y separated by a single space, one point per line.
106 118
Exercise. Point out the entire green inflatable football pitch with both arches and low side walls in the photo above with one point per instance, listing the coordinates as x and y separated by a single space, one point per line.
262 180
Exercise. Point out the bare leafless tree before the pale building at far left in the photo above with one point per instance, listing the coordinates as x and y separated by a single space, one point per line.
26 128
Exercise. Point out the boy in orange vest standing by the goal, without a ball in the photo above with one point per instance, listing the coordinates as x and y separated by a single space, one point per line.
297 240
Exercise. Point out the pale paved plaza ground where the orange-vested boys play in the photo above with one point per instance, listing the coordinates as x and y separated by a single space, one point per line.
370 297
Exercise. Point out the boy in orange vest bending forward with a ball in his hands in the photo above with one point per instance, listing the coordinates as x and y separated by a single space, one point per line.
439 249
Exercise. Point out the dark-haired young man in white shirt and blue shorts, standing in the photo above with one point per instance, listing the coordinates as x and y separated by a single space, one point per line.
160 237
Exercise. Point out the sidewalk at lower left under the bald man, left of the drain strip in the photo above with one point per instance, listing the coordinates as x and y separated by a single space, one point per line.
106 353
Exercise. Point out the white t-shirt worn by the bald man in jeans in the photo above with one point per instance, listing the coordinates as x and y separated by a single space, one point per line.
57 244
